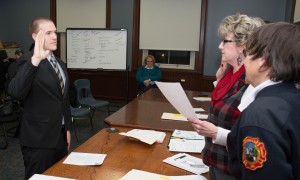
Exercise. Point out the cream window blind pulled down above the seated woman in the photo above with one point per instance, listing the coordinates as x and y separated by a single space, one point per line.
170 24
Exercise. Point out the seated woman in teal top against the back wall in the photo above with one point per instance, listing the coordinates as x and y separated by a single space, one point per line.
147 74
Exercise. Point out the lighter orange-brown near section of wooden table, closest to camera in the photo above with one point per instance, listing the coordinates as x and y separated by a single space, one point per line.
123 155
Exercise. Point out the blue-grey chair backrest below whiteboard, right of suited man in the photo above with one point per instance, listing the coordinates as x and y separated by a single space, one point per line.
83 89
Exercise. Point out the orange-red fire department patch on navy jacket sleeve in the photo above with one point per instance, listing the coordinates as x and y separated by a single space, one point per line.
254 153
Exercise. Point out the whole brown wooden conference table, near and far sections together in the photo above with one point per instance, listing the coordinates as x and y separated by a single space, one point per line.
123 154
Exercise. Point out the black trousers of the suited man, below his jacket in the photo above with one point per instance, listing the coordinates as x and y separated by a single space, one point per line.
38 160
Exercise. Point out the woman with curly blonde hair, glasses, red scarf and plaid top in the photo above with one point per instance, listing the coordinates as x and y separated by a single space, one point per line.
234 31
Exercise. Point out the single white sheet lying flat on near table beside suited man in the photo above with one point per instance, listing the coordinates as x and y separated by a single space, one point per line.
84 159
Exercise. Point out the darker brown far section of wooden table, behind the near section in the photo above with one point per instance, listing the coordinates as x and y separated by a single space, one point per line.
146 110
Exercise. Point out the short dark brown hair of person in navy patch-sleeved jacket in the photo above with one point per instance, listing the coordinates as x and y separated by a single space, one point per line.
279 44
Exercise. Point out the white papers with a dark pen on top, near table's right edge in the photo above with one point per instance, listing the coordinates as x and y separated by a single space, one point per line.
187 162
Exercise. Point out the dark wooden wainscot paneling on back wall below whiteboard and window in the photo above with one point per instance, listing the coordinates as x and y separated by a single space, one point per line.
112 85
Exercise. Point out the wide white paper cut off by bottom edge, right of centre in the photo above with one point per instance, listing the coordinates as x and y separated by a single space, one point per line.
135 174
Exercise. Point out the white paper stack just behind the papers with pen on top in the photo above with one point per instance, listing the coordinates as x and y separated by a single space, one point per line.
186 141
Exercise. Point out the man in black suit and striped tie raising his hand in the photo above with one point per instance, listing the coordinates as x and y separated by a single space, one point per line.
42 86
